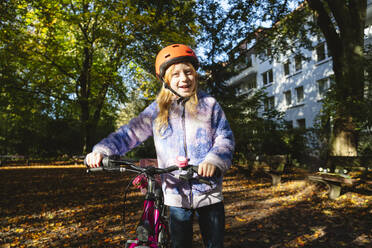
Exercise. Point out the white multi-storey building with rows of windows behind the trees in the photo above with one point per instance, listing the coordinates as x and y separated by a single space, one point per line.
295 86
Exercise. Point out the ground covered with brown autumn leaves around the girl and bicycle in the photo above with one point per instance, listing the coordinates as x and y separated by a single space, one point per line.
62 206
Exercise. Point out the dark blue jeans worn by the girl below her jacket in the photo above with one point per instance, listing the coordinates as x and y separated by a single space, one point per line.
211 221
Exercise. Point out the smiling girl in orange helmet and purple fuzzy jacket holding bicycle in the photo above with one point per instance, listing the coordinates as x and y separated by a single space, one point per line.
183 122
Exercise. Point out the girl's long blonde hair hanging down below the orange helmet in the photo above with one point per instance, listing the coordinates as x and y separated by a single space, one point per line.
165 98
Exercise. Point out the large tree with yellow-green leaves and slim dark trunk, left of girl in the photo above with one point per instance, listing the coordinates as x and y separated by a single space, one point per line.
74 52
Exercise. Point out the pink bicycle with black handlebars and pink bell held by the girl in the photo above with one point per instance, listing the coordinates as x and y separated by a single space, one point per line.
152 230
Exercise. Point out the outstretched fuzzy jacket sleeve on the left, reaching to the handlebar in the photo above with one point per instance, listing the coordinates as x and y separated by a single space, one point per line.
129 136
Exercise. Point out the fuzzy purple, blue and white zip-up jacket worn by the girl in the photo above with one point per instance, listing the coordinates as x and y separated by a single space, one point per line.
204 137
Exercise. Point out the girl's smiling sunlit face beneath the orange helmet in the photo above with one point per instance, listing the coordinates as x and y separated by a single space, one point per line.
183 79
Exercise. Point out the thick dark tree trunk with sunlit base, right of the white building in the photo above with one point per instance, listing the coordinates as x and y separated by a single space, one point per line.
342 24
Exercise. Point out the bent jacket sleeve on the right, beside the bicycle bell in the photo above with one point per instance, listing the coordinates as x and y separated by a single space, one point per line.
223 147
